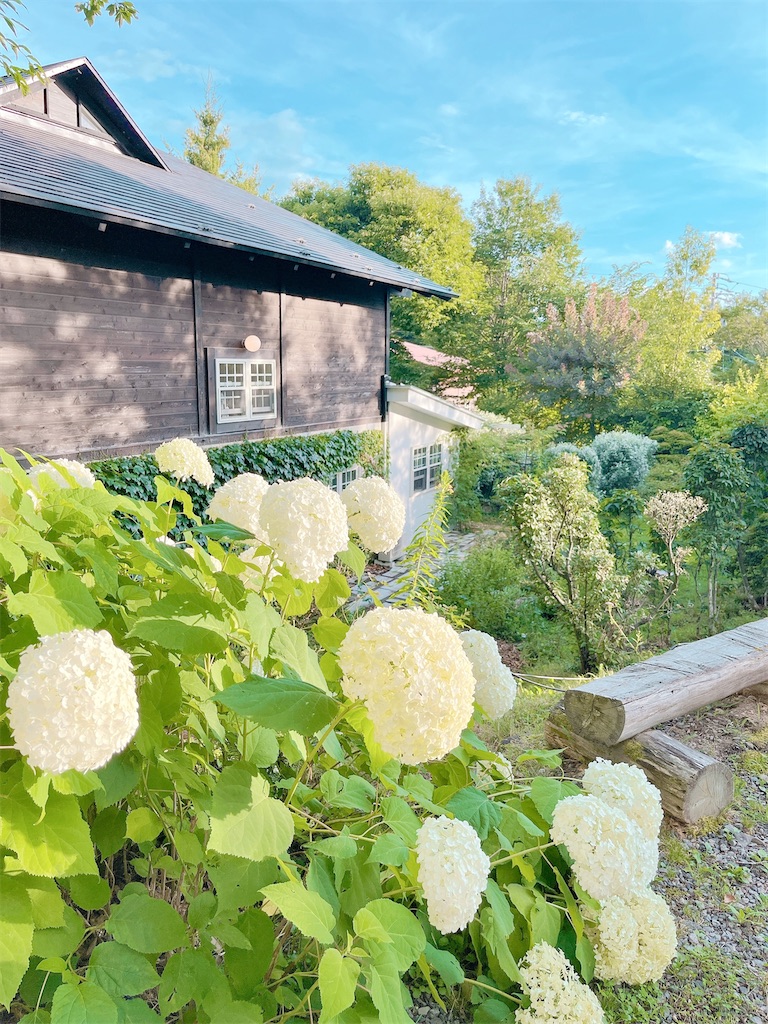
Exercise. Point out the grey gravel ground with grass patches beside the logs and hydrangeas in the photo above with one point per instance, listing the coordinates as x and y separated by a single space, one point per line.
715 877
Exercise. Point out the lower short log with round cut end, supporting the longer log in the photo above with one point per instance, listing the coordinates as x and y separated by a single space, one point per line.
694 786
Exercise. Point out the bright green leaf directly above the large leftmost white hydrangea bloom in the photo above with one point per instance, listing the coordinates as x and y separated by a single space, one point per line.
57 603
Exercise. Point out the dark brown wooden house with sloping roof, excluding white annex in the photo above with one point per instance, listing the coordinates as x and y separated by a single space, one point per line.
143 298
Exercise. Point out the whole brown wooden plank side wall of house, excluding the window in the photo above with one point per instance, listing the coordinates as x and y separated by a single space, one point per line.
106 348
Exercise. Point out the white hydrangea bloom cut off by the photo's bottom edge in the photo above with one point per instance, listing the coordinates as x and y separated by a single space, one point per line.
558 995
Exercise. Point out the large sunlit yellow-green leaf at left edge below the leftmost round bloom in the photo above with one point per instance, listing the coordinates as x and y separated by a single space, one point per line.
57 846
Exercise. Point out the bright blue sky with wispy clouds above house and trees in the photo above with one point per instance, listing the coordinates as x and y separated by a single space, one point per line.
645 116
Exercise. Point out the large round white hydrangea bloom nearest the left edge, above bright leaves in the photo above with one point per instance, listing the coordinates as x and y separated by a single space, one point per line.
73 703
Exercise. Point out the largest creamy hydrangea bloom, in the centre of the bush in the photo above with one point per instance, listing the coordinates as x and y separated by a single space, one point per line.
411 670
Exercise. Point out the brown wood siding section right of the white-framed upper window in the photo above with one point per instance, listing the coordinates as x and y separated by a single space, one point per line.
333 359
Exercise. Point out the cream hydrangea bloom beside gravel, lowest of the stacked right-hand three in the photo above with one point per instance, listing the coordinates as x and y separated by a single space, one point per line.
635 940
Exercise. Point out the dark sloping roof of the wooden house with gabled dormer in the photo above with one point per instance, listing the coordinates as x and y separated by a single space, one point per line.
69 169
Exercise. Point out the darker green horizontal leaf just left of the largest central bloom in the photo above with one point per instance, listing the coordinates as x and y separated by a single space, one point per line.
281 704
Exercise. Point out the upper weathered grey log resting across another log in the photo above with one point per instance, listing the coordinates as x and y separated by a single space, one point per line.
619 707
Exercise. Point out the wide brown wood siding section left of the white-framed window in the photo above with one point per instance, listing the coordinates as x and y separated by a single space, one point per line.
94 357
